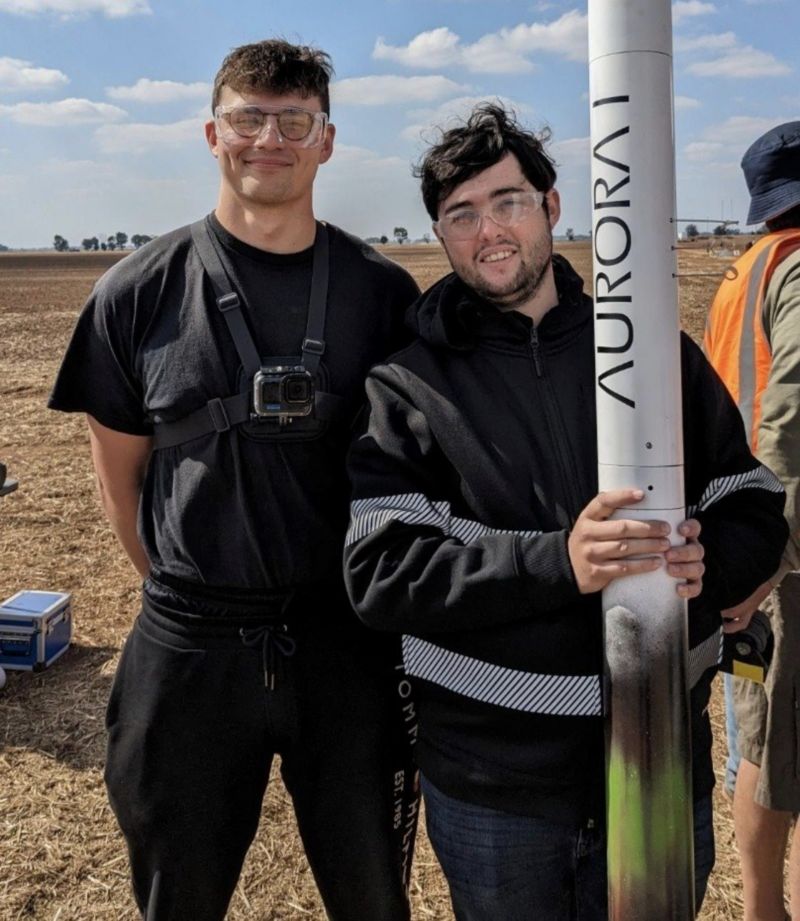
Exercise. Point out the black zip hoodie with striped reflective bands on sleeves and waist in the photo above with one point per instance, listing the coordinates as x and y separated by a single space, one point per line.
478 457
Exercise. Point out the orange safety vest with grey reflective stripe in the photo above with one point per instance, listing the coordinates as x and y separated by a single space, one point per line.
734 341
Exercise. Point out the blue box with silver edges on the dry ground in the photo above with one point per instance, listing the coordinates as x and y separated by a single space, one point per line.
35 629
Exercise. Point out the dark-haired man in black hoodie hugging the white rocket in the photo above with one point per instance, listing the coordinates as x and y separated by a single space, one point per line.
477 532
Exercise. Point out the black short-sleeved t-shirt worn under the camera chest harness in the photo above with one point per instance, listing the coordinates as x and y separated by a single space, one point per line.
261 507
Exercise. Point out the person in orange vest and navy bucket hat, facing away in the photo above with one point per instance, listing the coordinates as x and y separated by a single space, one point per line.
753 340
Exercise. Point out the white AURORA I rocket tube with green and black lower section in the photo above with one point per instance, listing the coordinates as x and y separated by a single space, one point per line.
638 392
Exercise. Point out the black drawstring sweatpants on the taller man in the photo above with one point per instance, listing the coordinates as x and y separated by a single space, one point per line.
199 706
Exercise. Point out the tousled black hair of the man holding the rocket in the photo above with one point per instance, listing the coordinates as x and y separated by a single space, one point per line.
486 137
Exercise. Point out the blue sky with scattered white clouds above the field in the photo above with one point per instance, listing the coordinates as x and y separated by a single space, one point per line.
102 102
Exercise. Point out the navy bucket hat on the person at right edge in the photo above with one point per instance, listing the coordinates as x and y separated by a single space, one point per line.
772 172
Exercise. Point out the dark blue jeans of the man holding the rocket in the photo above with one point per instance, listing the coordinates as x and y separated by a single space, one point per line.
502 867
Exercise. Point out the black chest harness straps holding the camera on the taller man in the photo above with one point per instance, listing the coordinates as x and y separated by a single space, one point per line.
222 413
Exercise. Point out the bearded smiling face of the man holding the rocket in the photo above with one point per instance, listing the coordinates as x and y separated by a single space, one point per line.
504 265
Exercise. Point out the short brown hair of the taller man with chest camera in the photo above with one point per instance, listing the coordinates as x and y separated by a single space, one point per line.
276 66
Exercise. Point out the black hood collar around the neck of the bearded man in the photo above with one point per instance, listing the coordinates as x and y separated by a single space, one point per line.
450 314
